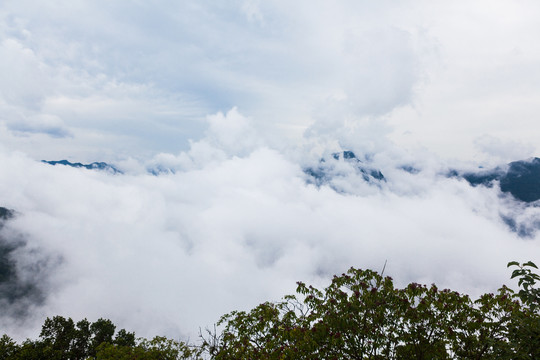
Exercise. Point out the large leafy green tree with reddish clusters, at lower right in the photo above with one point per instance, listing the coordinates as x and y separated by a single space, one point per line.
361 315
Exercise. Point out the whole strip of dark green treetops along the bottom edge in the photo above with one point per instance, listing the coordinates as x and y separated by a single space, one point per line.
360 315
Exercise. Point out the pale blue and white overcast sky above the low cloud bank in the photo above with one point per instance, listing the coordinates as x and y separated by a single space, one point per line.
438 74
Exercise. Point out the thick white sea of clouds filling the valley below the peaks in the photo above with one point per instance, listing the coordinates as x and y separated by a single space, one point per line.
167 254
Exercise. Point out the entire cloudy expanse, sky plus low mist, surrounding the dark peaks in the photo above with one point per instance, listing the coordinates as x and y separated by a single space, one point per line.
235 99
